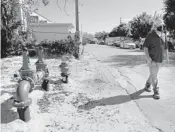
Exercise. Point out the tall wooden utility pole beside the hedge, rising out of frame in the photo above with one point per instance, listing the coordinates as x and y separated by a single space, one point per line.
77 34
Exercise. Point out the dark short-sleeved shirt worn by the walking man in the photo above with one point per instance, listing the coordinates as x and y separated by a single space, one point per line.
156 46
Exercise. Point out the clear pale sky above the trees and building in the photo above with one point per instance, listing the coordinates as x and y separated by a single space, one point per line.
98 15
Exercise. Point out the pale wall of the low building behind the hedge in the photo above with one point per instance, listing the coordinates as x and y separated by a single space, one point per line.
49 32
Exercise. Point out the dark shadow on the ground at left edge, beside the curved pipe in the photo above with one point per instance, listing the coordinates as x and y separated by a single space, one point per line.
7 114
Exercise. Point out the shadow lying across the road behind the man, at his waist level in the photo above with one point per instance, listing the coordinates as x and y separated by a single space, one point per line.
126 60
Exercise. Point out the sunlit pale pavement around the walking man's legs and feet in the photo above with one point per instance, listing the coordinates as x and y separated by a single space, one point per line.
160 112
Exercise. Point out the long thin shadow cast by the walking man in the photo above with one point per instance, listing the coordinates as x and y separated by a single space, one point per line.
114 100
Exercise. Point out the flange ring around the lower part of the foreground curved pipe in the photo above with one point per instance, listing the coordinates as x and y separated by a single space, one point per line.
22 104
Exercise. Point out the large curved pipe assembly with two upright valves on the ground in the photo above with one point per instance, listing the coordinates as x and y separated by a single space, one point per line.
27 81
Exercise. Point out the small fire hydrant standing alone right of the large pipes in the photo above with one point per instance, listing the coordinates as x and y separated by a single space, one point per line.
64 66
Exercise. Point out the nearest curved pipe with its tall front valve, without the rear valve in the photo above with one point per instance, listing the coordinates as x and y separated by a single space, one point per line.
25 85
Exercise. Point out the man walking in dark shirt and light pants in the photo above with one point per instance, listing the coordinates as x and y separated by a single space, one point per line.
155 47
